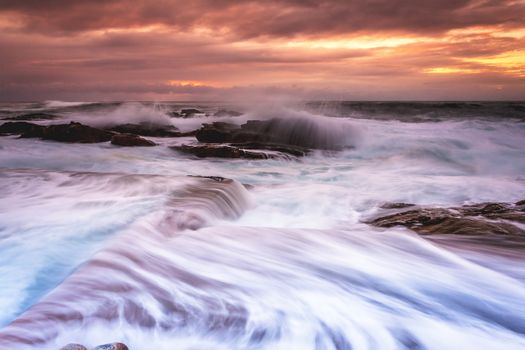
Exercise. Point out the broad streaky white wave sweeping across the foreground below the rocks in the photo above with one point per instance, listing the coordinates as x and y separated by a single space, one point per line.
227 287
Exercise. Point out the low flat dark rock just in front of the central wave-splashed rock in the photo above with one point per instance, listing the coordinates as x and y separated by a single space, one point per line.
222 151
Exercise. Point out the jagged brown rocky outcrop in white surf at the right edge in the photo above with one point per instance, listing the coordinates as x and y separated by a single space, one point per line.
472 220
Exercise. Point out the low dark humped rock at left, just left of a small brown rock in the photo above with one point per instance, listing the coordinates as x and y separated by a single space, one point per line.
72 133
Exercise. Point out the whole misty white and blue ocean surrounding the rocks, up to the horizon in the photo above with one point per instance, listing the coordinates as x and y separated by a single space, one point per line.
160 249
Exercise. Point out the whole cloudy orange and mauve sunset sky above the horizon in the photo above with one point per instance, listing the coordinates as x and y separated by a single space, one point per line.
76 50
